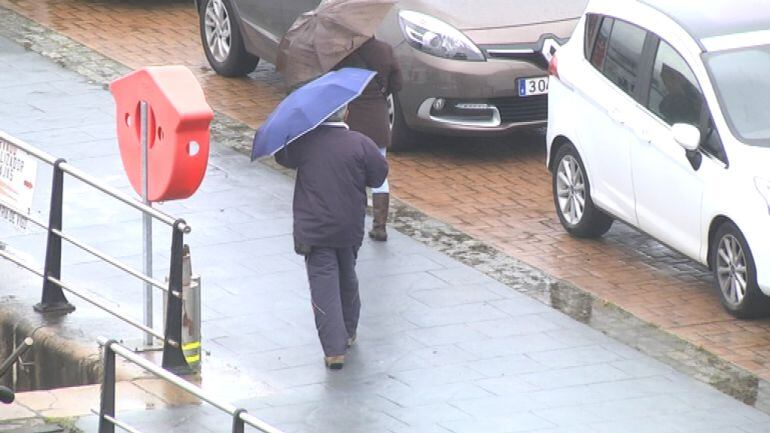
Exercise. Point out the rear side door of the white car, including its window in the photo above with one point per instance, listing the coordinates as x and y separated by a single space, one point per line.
611 90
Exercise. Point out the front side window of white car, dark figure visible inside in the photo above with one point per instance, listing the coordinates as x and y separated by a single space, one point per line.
674 92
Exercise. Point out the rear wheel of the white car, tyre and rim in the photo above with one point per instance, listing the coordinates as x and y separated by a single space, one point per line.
572 197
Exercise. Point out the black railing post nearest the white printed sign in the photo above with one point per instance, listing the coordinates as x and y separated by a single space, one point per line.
53 299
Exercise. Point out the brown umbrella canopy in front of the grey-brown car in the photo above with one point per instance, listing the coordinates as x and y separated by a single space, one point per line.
318 40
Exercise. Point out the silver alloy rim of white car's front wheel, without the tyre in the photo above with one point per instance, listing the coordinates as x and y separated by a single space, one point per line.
732 271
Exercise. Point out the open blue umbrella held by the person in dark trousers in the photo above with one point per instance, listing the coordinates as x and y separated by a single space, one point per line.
307 107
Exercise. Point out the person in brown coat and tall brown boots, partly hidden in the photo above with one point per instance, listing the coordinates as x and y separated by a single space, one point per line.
369 115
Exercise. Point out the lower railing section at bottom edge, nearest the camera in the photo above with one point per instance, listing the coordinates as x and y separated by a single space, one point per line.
107 417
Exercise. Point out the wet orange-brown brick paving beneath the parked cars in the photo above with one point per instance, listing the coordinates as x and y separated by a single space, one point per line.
495 191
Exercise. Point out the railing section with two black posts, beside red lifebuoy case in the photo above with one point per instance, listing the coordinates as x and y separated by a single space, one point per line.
53 298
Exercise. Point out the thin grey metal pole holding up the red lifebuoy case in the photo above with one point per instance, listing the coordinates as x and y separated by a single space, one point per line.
146 223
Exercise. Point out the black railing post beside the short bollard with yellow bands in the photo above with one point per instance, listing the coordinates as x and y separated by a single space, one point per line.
173 354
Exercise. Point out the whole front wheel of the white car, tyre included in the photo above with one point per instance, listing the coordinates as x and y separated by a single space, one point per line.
735 274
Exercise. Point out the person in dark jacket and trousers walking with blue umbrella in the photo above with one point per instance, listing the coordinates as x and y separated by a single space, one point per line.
307 132
